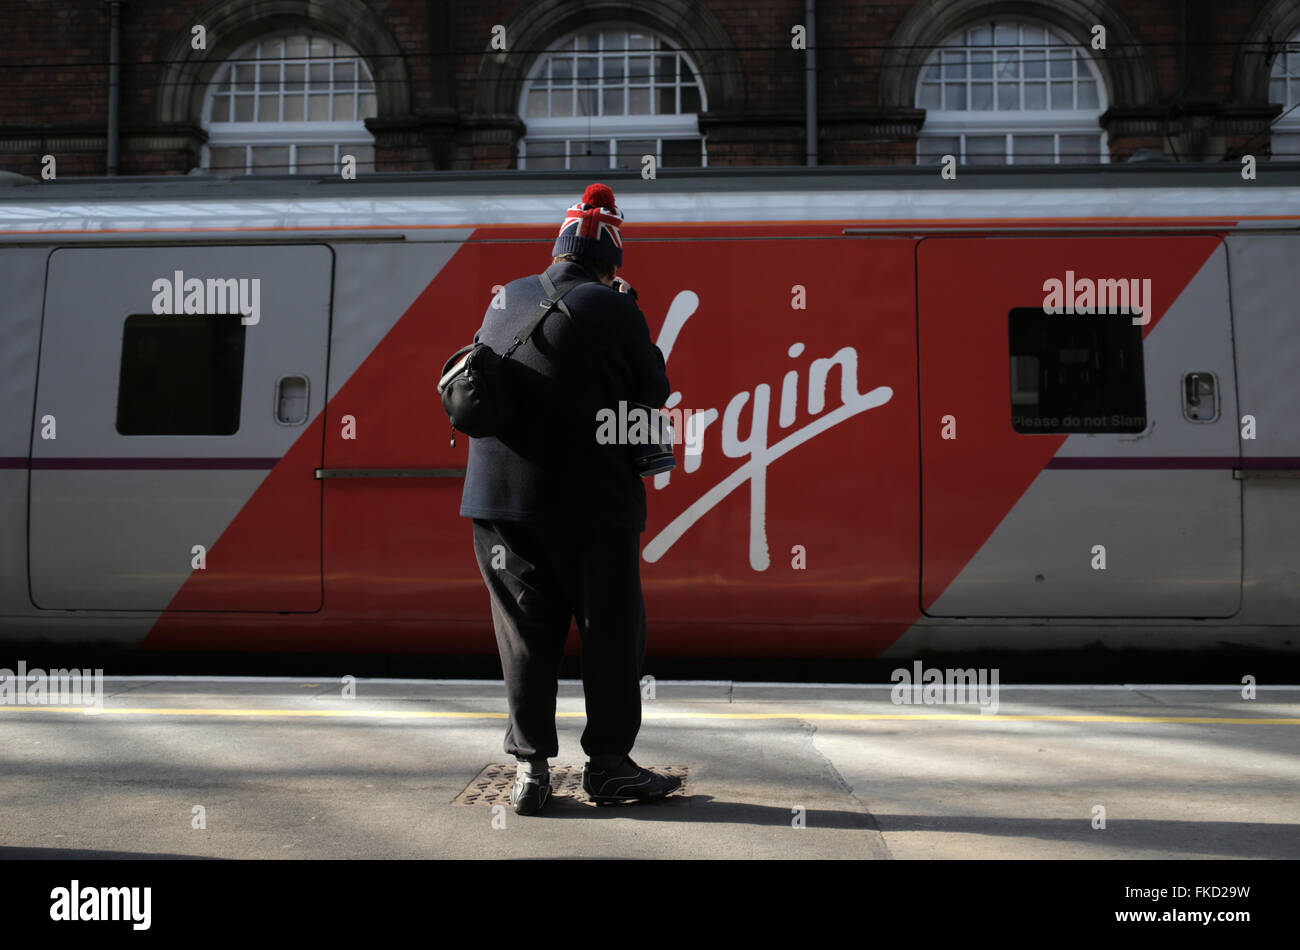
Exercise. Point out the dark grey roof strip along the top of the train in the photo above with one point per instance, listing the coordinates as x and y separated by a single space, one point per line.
1154 175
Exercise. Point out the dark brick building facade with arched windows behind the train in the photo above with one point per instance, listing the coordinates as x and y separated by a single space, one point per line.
427 84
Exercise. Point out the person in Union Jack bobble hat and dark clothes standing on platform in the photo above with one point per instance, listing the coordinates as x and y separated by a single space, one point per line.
558 517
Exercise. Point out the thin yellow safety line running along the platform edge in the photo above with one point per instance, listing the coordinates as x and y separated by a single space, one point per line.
844 717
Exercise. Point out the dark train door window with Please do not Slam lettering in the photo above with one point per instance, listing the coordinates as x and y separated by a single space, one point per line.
1076 374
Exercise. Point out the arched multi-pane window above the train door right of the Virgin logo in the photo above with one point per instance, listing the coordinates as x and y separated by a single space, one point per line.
1011 93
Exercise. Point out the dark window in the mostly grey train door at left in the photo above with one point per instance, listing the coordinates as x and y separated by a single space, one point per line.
181 375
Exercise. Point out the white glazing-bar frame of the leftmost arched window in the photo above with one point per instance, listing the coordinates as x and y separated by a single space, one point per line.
250 135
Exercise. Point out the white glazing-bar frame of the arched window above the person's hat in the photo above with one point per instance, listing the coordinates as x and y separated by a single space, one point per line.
571 129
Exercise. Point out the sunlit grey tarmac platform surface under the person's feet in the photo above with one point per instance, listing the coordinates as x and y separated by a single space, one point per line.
291 769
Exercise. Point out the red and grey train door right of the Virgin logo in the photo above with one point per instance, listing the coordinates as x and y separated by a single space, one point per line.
1078 463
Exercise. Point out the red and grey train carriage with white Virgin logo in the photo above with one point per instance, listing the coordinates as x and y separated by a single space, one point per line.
1030 409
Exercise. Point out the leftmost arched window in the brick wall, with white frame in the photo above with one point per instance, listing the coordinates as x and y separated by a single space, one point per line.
289 105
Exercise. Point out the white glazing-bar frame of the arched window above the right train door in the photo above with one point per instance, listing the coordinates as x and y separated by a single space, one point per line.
1011 123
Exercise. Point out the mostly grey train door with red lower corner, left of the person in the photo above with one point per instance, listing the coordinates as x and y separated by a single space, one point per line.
172 381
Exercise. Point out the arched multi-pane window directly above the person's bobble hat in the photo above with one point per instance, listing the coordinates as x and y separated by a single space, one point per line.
606 97
